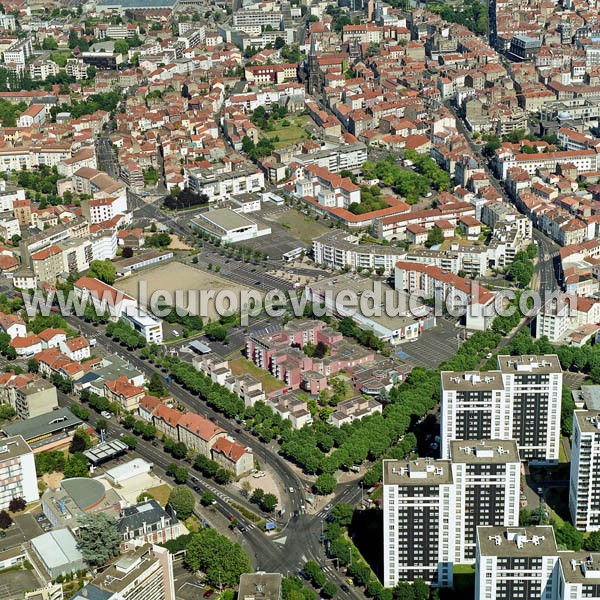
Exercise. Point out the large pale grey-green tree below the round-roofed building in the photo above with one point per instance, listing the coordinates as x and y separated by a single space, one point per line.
99 538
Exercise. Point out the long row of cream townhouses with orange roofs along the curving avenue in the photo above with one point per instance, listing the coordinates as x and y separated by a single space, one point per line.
199 434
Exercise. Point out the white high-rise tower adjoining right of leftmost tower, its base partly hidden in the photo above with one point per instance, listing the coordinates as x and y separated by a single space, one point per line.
486 478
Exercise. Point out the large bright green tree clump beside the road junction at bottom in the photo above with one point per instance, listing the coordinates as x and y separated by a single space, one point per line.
221 560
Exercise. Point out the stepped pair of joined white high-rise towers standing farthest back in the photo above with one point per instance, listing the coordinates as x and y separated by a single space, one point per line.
520 401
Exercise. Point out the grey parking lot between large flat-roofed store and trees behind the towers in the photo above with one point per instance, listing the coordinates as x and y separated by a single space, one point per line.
434 346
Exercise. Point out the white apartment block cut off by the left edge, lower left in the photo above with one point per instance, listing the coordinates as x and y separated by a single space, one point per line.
17 471
